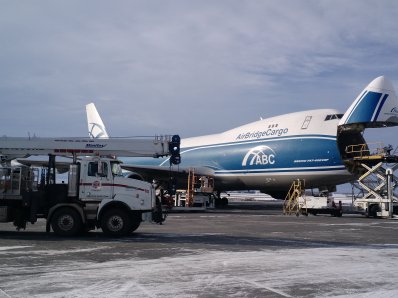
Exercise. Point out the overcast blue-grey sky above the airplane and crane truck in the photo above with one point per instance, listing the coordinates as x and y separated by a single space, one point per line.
186 67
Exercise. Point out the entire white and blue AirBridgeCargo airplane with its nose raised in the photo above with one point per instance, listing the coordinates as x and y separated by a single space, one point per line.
268 154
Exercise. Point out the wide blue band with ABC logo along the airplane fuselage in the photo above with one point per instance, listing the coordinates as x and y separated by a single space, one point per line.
279 154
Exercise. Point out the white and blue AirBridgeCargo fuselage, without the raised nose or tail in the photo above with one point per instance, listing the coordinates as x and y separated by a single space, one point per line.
269 154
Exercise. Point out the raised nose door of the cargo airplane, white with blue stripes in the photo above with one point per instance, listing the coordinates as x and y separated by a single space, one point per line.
375 106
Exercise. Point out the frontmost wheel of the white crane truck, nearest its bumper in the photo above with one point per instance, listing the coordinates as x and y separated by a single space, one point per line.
116 222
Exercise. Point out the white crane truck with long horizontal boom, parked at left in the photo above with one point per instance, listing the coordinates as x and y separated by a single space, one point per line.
97 194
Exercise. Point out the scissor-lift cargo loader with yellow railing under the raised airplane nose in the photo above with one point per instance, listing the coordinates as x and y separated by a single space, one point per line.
376 181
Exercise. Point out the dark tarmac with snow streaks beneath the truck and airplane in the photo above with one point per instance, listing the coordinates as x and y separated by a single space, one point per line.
243 251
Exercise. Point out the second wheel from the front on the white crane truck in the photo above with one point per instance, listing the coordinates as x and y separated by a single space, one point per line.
66 222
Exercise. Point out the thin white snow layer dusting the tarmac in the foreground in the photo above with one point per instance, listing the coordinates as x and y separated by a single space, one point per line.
309 272
